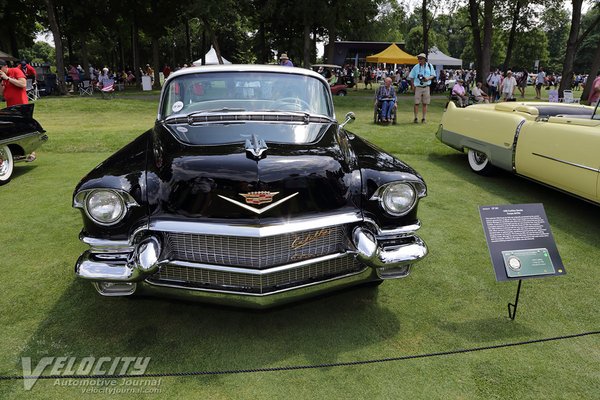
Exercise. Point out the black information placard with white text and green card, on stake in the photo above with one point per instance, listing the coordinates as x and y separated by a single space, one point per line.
520 241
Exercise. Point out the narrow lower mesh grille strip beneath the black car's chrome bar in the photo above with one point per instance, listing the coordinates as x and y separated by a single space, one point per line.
202 278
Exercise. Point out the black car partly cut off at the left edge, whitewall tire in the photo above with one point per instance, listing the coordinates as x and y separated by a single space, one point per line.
20 135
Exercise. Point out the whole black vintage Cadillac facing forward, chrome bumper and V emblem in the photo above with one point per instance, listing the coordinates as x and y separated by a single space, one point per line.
248 192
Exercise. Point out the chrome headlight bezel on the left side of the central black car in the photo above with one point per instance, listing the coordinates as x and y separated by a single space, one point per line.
122 201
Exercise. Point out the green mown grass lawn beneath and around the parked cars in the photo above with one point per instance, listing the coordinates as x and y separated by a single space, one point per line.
450 301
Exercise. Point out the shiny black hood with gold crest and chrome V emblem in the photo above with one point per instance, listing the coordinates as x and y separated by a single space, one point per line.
228 182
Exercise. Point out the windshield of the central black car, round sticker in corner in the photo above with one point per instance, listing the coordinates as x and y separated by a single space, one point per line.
246 92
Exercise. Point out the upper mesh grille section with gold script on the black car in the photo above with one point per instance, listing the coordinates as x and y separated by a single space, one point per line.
257 252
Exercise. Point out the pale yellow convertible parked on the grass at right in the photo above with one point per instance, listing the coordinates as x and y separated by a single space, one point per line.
552 143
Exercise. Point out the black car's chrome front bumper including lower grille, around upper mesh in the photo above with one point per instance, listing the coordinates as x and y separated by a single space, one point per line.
142 264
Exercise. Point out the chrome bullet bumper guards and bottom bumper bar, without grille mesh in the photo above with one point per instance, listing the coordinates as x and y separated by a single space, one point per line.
116 266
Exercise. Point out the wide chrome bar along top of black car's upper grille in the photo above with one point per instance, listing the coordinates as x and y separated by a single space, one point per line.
223 229
